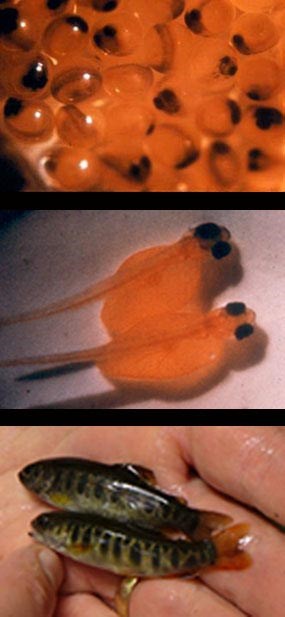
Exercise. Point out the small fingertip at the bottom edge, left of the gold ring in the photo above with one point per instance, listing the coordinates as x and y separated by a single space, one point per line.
81 604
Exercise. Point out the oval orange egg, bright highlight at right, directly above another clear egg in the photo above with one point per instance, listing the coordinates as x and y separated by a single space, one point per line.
75 84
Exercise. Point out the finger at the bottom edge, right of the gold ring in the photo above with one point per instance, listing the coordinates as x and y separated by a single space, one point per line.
179 598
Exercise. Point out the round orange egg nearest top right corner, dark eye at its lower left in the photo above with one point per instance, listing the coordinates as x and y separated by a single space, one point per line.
253 33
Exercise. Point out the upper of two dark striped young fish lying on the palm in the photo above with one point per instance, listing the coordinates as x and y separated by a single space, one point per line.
121 493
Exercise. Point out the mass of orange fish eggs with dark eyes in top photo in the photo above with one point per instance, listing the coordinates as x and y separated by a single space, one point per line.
146 95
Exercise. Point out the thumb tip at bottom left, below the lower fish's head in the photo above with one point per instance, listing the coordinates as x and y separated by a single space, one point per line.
29 583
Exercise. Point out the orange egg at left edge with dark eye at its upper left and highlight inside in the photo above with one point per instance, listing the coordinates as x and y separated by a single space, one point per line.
28 121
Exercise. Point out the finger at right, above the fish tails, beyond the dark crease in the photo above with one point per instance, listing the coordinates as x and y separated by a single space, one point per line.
245 462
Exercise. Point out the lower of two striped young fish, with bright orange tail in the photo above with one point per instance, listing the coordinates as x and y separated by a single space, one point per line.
135 552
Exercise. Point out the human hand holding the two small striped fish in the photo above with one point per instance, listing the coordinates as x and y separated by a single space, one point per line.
245 463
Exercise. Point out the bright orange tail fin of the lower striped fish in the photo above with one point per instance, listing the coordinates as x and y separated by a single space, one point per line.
228 545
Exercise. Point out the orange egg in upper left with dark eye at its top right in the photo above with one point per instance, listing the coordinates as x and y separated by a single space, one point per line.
66 35
